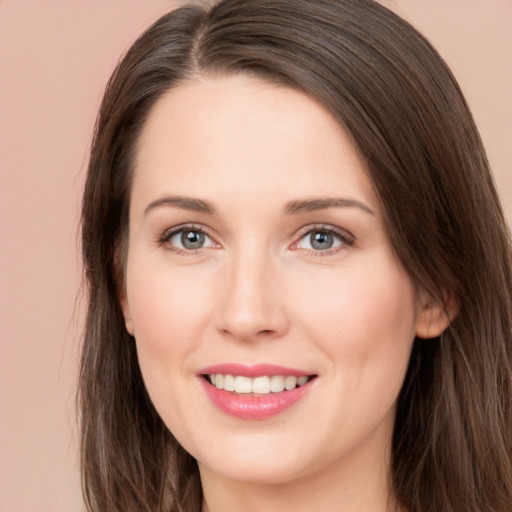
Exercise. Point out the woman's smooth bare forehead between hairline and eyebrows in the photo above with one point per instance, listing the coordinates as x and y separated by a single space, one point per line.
242 134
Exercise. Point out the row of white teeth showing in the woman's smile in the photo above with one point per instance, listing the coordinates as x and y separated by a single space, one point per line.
260 385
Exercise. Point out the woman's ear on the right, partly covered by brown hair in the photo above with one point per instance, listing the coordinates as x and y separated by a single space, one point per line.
435 315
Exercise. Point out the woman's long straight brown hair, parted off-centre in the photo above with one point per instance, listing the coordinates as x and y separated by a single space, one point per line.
398 101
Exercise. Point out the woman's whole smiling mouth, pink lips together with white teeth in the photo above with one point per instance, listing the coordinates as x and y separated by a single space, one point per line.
255 392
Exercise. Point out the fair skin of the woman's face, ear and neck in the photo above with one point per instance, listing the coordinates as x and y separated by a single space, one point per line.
257 292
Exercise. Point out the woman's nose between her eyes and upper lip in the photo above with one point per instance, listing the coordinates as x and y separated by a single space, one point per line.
251 303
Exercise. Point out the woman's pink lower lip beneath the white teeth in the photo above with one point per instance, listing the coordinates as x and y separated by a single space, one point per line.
254 407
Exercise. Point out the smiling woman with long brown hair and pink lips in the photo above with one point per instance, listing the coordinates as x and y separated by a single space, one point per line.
299 272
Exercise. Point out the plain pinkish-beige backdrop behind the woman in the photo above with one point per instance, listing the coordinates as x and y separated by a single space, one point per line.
55 58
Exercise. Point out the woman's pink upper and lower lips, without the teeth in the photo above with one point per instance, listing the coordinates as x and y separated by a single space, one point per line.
253 407
